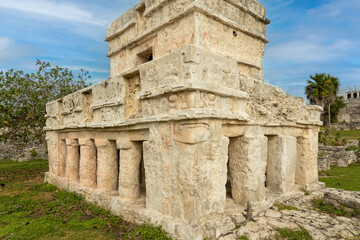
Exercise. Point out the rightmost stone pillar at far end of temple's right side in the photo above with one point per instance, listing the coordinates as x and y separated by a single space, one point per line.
307 154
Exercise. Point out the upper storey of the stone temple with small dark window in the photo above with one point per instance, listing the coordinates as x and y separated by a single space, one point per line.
154 28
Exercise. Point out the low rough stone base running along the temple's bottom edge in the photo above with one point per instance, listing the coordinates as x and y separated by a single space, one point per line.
219 226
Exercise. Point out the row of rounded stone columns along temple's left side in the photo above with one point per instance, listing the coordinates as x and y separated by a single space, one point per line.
107 165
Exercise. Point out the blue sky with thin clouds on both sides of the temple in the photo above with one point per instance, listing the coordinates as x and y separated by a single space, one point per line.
306 36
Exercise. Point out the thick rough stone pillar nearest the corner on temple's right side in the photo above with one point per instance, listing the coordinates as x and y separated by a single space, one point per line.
247 164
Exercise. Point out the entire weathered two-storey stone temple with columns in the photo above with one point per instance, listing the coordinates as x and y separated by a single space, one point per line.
185 133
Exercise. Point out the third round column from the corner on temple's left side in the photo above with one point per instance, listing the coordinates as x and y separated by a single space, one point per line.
87 163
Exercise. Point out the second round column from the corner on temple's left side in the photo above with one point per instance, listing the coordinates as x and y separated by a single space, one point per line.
107 168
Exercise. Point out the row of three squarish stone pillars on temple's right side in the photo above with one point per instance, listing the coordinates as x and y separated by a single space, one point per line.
273 162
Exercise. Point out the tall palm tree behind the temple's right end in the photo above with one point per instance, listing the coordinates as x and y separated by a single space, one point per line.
322 90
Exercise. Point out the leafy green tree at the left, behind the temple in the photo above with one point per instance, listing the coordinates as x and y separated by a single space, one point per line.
23 97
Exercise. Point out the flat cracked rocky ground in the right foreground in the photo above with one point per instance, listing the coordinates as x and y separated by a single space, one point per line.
320 225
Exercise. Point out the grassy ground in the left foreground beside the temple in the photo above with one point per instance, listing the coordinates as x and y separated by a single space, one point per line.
31 209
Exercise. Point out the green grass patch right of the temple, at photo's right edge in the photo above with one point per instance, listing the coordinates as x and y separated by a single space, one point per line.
344 178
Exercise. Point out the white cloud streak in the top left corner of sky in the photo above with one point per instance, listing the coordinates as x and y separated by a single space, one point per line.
52 9
